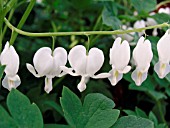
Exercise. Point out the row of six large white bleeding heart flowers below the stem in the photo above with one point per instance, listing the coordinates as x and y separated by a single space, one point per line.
86 64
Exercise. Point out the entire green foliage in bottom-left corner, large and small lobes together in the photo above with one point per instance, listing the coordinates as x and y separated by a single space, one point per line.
23 113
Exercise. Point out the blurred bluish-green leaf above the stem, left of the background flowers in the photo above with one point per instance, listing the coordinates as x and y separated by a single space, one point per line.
110 20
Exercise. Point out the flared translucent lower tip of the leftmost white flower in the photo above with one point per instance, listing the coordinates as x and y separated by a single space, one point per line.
12 82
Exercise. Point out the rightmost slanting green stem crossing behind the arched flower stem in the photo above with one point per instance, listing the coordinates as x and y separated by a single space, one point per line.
22 21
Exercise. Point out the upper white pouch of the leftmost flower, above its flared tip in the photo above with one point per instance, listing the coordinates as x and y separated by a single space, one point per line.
10 58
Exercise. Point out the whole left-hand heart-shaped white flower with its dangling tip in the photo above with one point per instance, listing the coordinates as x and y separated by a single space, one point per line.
48 63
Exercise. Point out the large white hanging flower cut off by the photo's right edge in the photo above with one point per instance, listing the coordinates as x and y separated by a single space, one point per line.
162 67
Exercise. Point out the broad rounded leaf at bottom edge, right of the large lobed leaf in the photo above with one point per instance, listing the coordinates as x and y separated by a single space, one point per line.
133 122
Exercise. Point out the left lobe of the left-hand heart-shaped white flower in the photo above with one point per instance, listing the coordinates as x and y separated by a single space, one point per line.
43 61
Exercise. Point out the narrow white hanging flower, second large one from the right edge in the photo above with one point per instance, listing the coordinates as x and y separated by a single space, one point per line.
142 55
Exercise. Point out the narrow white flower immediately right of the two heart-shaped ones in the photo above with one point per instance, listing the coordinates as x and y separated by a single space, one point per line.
119 59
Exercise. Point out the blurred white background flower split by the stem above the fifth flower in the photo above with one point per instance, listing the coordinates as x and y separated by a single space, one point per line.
140 24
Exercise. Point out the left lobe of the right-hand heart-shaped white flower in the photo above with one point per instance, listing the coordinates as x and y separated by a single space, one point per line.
77 59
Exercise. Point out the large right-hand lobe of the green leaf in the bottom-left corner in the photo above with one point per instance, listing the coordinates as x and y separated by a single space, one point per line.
25 114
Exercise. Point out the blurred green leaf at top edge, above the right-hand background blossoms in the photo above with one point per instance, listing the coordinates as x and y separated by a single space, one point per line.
144 5
